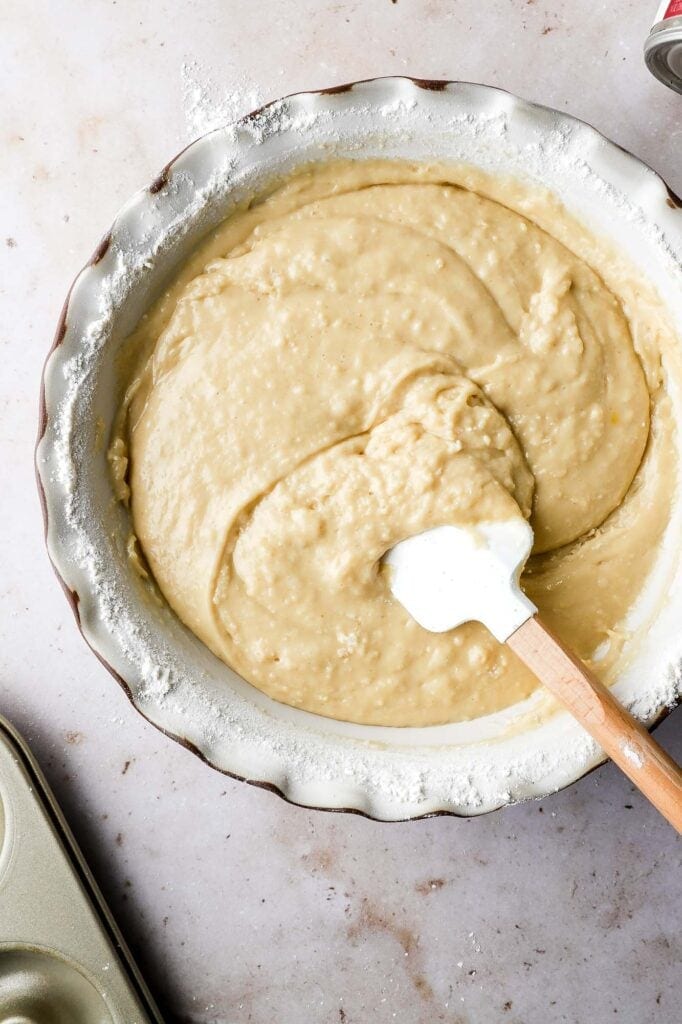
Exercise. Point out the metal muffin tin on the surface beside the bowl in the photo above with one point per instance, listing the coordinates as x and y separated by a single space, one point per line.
63 960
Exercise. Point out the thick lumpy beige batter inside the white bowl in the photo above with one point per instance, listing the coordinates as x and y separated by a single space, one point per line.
372 351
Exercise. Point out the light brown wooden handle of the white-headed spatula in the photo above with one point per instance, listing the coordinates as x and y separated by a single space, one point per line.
622 737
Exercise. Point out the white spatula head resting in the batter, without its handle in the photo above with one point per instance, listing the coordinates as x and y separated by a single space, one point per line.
453 575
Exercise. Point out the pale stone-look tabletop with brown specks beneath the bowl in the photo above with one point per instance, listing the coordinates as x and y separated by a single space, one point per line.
239 907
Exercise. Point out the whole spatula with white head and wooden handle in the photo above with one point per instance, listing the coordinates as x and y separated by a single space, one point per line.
454 575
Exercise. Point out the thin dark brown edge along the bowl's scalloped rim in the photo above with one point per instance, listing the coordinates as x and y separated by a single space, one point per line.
156 187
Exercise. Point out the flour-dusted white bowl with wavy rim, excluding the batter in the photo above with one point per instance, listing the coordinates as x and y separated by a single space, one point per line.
173 679
